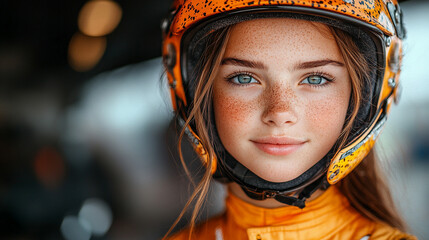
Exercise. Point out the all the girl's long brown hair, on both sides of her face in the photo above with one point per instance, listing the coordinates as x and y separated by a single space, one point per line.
365 187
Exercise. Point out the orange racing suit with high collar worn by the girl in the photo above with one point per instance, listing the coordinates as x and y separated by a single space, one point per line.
330 216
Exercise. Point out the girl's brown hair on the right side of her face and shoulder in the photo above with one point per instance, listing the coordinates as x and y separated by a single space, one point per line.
365 187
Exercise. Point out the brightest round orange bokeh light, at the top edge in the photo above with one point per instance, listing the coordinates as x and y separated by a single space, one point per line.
99 17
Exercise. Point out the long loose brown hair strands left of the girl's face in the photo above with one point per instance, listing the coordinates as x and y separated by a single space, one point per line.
199 115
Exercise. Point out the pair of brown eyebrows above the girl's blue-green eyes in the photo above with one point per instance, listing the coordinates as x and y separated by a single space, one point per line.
299 66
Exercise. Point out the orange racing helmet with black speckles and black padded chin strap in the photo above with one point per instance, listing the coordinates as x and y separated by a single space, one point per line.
375 26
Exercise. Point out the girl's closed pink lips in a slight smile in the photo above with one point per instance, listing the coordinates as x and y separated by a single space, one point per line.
278 146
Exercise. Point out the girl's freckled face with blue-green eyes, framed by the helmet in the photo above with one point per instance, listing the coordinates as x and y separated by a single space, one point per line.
280 96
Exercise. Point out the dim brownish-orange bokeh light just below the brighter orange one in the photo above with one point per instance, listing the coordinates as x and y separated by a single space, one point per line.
85 52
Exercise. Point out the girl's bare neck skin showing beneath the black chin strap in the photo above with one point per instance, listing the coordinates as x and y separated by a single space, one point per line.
235 189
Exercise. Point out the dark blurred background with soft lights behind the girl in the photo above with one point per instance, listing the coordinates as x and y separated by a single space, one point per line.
86 145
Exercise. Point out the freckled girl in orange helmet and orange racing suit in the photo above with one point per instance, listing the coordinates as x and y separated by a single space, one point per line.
282 100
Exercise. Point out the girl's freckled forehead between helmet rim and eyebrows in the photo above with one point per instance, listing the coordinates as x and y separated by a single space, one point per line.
282 37
